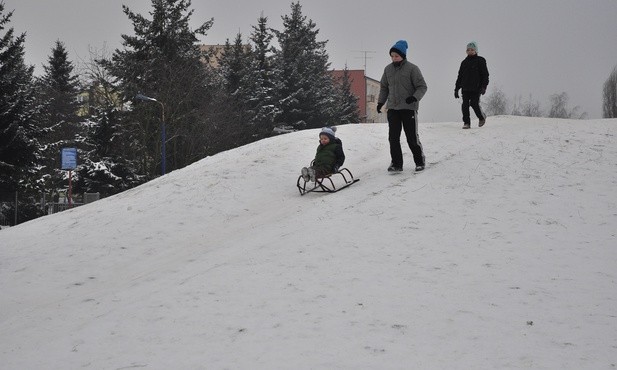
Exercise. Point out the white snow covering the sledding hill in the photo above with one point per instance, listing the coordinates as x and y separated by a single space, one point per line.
500 255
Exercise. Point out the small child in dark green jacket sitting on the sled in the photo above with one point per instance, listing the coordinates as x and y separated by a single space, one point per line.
329 157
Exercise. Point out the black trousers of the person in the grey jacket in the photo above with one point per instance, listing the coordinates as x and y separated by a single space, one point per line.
399 120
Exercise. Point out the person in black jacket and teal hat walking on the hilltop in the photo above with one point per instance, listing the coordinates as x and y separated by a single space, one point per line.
473 80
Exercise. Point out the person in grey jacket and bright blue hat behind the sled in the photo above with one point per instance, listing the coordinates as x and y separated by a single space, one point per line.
402 86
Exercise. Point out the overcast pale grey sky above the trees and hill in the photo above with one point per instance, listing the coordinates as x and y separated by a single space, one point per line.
537 47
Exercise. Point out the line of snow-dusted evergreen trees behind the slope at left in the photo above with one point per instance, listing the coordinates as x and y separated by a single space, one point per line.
206 102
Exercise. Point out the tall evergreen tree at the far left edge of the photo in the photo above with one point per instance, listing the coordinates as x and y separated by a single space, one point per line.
19 131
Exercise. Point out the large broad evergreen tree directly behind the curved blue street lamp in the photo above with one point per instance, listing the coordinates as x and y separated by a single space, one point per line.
163 60
